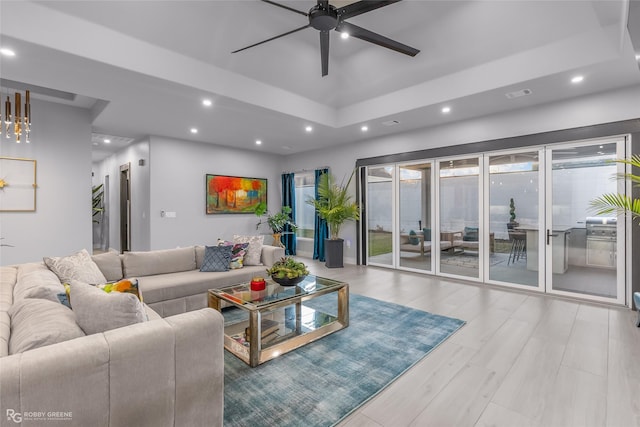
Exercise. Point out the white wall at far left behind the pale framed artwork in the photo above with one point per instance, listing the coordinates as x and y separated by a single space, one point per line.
61 224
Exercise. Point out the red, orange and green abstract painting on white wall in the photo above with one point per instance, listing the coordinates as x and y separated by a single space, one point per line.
234 194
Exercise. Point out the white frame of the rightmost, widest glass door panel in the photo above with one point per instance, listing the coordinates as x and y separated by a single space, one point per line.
622 244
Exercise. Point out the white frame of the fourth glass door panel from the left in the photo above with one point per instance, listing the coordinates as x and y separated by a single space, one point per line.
541 220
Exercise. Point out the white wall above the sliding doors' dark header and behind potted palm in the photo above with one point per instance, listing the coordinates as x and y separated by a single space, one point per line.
584 111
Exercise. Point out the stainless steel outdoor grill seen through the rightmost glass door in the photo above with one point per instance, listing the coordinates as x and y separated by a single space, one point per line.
601 241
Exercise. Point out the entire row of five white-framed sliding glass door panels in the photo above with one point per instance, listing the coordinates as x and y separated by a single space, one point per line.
518 218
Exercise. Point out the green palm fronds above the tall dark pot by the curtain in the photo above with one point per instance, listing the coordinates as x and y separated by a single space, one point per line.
334 203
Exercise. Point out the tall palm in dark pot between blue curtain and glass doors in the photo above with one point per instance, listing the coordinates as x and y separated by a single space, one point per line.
334 204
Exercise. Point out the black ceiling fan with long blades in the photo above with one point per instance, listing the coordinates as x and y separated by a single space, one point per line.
326 17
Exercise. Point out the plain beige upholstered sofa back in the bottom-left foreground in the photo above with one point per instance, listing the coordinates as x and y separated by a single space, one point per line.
163 372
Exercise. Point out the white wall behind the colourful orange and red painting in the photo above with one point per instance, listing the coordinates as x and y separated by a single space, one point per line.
178 170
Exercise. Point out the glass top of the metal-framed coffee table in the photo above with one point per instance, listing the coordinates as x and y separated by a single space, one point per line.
243 295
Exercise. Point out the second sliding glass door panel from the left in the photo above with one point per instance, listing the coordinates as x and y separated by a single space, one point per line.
414 203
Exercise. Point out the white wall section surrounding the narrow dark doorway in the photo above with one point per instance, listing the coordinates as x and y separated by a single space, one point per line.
140 190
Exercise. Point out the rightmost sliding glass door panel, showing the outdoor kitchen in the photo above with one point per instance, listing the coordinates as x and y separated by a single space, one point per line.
582 248
